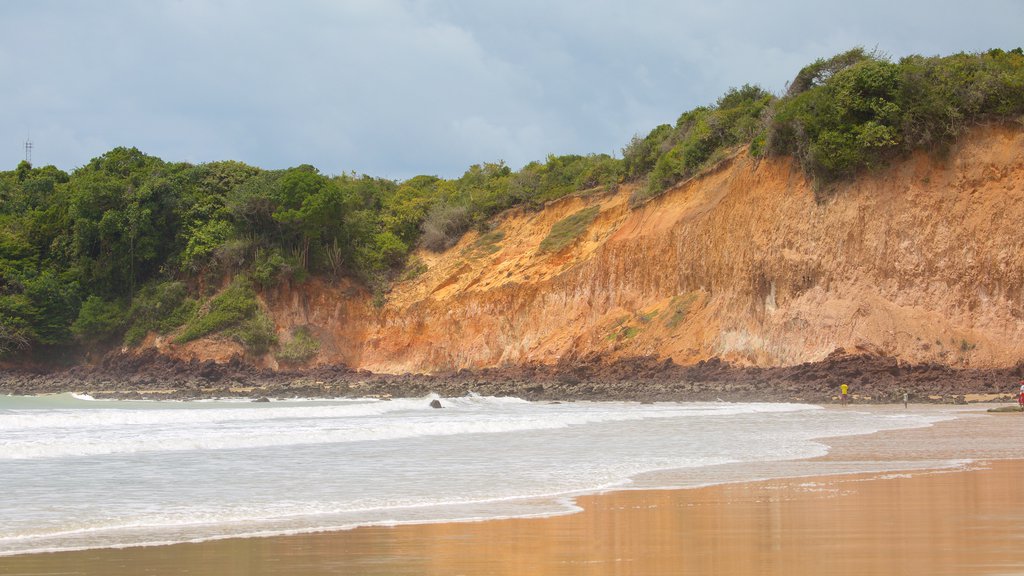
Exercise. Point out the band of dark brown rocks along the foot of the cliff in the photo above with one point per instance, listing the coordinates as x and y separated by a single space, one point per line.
872 379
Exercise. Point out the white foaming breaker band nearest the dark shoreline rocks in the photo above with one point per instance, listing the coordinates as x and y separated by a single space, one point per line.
91 433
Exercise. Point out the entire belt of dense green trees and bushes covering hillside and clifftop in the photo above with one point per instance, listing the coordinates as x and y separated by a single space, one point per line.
131 244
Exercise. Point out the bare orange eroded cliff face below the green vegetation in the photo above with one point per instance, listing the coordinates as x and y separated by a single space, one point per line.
923 261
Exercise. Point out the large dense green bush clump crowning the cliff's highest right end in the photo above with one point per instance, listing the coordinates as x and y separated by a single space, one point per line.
857 111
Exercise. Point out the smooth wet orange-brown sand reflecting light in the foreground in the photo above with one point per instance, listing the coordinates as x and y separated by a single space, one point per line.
960 522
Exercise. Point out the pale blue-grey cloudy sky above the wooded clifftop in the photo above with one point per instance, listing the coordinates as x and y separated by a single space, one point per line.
396 89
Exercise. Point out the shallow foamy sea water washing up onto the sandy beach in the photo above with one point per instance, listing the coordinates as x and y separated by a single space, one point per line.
80 474
